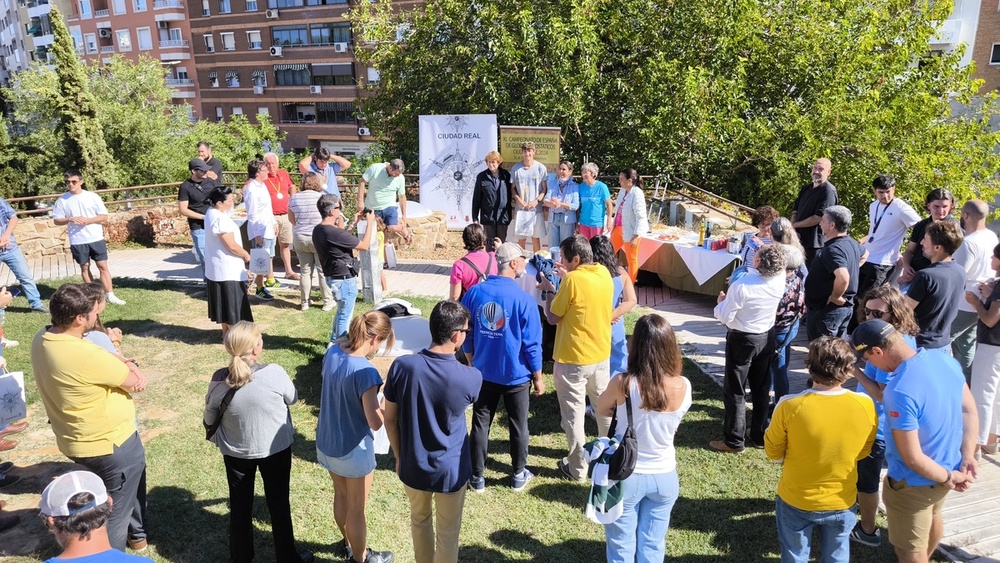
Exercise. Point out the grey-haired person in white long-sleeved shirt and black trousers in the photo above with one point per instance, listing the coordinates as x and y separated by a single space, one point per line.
748 311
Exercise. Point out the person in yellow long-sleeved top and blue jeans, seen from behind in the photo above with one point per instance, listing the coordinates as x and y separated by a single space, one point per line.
819 435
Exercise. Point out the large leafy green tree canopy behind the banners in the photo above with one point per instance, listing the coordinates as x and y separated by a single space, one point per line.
738 96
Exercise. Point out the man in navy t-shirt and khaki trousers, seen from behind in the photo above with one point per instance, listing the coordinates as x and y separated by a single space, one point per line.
426 396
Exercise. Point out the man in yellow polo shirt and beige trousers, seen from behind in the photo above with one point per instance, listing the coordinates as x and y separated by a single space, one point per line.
581 311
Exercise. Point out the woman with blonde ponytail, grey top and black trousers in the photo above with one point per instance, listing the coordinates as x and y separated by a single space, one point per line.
248 402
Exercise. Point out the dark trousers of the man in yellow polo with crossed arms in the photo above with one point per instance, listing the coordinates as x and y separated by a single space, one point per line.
124 474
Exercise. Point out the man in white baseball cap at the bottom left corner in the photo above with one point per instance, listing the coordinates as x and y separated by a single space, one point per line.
76 507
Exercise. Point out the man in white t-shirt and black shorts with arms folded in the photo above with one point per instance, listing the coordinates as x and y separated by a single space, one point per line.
84 213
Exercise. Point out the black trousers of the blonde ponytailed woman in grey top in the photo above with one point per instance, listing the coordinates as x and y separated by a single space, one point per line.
241 473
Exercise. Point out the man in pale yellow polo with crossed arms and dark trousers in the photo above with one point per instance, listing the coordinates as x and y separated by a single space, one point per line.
86 393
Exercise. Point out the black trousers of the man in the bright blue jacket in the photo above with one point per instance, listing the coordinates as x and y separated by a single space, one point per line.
515 400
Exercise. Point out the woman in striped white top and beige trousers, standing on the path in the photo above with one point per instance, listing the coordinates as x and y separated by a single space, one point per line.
304 216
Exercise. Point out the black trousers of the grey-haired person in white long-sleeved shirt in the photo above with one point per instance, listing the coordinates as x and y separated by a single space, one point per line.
748 359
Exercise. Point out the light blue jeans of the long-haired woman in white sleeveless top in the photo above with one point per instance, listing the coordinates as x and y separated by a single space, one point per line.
639 534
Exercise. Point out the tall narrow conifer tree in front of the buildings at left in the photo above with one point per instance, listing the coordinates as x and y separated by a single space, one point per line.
83 141
